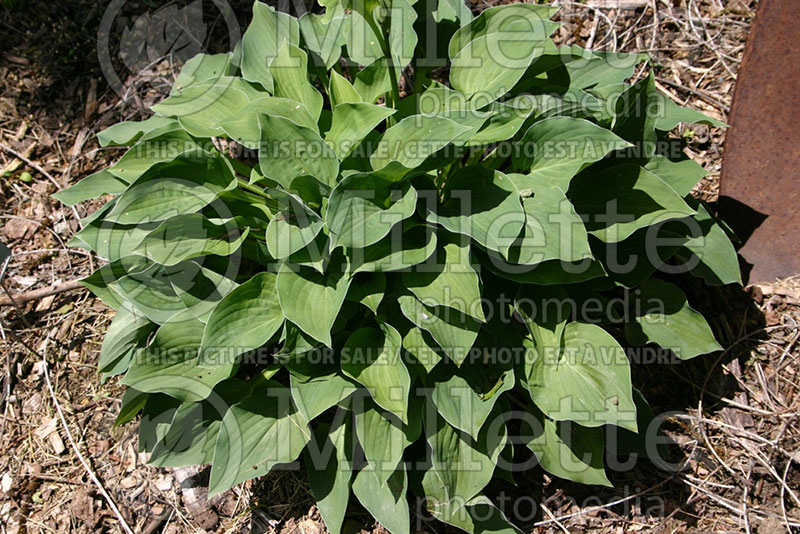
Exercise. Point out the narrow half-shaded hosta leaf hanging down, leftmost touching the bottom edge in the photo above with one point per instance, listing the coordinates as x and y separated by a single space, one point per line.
329 469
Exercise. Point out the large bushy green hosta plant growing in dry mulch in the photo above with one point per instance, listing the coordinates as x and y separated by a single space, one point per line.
405 248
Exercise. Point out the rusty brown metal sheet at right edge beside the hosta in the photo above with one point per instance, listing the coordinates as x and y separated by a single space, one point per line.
760 183
